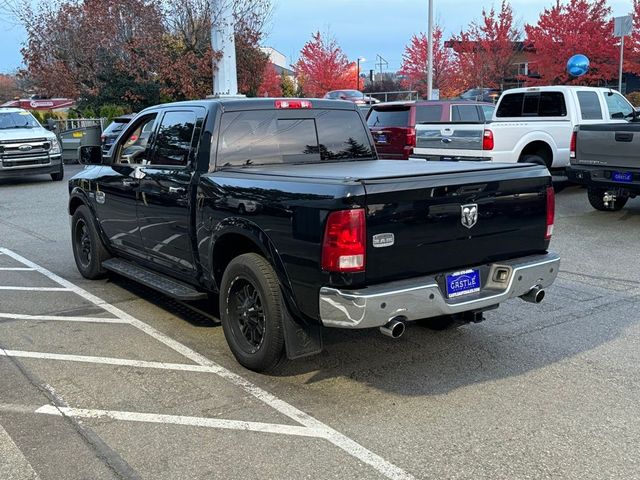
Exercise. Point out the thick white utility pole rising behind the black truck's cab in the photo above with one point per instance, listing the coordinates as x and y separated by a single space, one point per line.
225 76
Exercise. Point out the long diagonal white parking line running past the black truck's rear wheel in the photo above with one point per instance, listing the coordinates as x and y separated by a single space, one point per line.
338 439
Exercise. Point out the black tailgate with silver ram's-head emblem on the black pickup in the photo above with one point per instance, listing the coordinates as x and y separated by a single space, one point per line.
431 231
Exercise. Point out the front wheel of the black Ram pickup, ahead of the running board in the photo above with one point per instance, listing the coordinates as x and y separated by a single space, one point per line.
88 250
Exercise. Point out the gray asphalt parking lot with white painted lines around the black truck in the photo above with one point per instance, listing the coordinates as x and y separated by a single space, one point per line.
107 379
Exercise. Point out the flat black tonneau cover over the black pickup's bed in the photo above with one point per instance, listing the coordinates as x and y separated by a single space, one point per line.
374 169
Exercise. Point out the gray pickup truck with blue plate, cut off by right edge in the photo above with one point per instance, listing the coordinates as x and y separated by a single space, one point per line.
606 158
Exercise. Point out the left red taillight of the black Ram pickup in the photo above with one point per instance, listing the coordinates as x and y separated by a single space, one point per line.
344 244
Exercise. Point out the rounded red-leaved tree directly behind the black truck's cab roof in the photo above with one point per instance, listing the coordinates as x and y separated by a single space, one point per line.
323 66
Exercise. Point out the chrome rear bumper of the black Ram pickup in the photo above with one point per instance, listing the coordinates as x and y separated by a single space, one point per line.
423 297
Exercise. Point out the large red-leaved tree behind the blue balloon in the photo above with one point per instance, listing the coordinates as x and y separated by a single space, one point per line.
577 26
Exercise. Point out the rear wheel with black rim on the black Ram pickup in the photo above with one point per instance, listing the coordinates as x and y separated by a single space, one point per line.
252 312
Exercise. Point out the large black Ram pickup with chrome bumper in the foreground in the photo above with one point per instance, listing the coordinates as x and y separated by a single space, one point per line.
282 208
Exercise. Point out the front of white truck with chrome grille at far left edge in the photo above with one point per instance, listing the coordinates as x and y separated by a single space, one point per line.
27 148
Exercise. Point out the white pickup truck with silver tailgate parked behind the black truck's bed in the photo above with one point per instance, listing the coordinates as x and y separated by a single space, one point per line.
532 125
